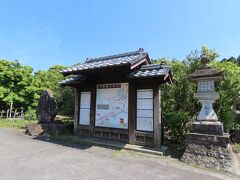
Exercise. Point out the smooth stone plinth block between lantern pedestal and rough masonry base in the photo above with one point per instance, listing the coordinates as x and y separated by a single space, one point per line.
207 127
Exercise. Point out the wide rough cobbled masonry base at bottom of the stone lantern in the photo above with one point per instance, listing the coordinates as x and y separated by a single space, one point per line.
211 151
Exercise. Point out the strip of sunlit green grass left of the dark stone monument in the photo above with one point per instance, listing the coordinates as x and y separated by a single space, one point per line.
10 123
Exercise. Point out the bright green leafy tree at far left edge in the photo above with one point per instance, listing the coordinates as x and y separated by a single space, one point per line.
17 85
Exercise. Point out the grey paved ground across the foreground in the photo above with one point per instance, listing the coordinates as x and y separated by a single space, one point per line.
23 157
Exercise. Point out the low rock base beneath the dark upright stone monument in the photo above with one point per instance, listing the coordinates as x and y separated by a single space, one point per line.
47 128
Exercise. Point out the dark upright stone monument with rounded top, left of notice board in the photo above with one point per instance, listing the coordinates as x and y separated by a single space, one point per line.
47 107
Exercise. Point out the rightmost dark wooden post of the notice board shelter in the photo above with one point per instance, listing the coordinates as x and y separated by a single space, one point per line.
157 116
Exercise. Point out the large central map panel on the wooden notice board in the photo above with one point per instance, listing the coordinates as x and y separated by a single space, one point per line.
112 105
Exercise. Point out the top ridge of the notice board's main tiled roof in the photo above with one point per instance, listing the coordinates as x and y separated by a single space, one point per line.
140 50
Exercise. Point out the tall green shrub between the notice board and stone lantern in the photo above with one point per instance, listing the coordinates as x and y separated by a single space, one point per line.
178 104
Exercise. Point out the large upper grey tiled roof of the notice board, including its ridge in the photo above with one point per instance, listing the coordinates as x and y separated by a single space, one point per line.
130 58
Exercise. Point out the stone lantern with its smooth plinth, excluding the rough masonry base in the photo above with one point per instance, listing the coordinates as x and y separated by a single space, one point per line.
207 120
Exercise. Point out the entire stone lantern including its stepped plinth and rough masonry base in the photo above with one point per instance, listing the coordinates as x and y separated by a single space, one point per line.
207 144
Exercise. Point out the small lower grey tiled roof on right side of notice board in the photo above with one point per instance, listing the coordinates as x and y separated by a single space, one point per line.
153 70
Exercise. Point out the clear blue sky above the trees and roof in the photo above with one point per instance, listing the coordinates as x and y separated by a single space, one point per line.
49 32
